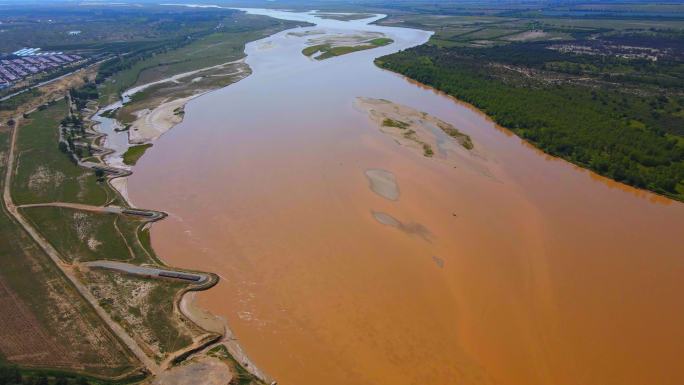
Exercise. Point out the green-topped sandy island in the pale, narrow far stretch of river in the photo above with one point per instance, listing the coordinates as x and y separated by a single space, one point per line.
337 45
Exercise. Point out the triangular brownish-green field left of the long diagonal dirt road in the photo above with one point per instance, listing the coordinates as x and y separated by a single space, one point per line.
78 340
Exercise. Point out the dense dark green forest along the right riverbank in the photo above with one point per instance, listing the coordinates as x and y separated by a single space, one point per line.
632 137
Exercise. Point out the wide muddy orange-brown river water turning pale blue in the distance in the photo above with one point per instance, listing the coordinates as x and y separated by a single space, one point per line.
534 272
